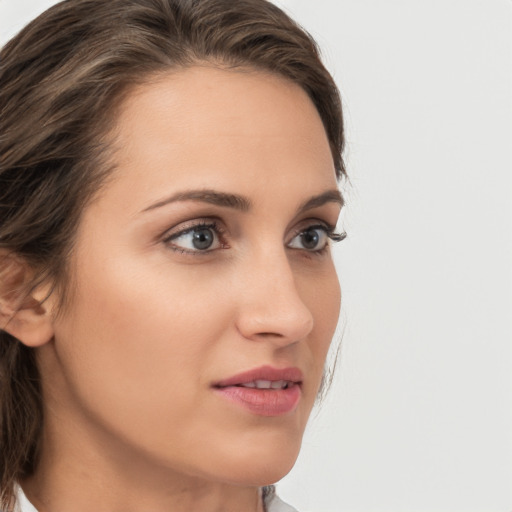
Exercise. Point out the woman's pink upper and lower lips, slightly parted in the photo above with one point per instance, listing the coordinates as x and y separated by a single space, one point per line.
263 402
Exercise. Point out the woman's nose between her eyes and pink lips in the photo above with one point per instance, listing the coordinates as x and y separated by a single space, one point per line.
270 305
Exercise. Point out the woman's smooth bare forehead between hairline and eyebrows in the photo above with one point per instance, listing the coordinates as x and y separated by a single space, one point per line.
230 127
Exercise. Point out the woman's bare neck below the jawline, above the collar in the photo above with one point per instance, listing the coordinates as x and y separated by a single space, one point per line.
105 477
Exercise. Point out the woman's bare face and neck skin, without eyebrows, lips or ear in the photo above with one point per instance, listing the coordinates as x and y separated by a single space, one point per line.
131 421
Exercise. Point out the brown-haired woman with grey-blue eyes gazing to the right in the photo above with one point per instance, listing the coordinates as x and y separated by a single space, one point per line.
168 195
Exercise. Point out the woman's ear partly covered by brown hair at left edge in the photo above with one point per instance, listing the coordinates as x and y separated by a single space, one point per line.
23 312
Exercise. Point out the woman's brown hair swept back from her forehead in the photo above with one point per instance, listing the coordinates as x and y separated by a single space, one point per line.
61 79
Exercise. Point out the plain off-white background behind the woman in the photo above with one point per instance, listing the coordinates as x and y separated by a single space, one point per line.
420 416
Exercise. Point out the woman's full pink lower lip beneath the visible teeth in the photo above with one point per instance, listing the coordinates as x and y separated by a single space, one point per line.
265 402
